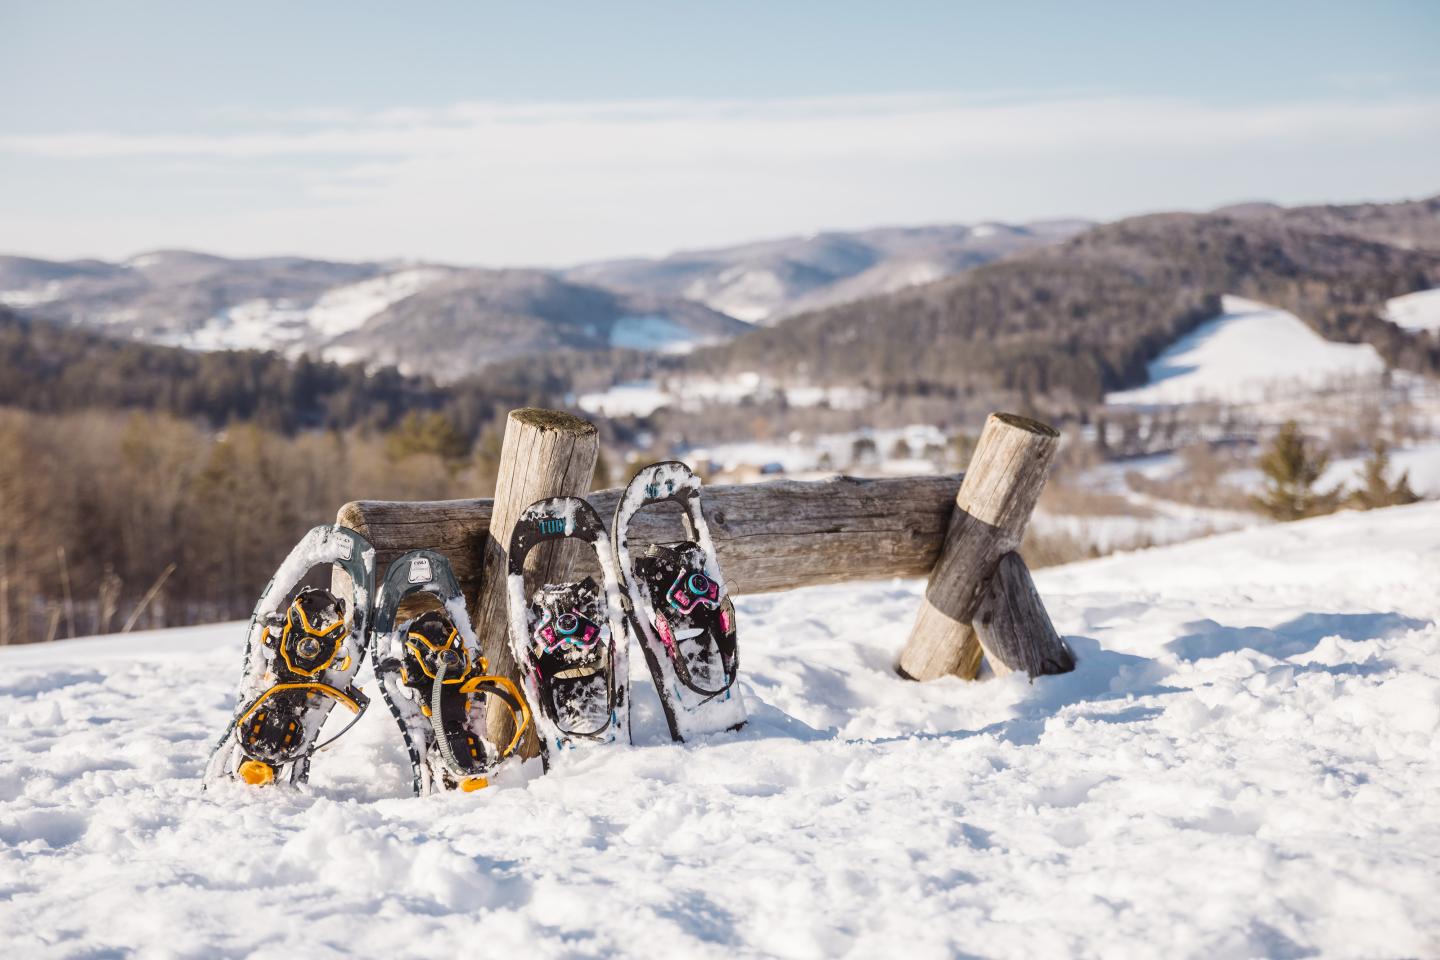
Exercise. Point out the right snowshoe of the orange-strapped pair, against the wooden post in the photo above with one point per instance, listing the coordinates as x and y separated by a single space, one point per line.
437 683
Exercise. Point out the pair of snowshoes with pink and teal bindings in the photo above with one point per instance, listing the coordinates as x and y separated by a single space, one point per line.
571 640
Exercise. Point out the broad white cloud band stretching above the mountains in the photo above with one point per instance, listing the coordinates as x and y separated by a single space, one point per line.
548 184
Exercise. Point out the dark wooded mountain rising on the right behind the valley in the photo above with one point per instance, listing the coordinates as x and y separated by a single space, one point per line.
1085 316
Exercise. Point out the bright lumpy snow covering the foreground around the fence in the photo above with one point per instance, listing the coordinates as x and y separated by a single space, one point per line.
1243 765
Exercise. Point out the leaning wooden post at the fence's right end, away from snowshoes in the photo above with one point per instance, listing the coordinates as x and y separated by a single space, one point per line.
1000 490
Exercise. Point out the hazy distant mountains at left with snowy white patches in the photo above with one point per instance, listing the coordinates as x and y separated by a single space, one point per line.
441 320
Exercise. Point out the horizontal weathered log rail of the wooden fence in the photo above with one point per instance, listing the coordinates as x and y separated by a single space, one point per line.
775 536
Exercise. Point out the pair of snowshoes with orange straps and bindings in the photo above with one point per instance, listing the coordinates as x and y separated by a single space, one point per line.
302 660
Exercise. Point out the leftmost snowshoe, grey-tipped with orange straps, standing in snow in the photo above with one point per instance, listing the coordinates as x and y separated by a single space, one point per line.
302 657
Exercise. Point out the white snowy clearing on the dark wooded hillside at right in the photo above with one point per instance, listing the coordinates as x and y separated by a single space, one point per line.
1248 355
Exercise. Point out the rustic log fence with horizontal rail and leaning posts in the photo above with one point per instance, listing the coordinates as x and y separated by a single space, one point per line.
963 530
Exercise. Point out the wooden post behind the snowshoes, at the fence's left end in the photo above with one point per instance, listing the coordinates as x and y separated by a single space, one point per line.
545 454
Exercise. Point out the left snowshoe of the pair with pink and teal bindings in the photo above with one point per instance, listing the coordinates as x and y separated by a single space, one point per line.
570 640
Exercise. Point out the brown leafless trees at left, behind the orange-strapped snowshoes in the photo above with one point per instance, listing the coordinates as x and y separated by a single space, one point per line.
103 509
